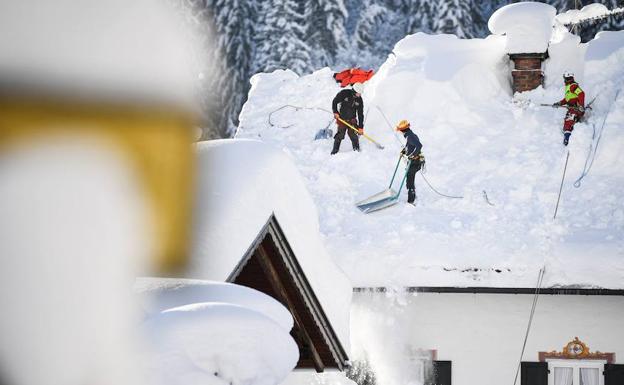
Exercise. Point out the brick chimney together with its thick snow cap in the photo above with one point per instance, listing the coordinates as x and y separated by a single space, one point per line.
528 27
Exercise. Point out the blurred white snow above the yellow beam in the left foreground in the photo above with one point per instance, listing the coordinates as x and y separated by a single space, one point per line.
96 49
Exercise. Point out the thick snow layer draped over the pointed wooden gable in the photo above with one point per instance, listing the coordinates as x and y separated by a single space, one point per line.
241 184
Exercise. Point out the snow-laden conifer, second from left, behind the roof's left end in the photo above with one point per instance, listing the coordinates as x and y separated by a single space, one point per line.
280 37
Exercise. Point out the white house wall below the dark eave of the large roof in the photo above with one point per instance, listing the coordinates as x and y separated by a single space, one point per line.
482 334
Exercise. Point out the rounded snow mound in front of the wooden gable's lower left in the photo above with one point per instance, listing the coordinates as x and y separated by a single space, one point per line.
215 333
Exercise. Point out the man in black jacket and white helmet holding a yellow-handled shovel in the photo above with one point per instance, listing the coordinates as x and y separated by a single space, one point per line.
346 105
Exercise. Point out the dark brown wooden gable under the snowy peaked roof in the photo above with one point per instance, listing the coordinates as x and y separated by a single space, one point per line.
270 266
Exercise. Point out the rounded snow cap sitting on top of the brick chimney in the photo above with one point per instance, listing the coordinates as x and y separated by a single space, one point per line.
527 25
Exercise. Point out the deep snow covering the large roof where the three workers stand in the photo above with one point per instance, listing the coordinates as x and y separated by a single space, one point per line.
505 160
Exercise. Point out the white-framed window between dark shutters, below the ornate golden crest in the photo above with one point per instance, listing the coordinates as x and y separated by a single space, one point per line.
576 372
